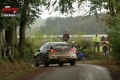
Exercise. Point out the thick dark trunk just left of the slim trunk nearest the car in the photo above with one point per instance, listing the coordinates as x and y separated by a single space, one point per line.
9 36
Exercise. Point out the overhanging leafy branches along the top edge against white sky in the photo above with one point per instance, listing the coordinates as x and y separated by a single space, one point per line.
67 6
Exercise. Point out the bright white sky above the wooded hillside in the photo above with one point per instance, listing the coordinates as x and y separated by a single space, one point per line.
82 11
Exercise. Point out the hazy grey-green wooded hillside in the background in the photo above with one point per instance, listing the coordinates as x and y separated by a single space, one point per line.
74 25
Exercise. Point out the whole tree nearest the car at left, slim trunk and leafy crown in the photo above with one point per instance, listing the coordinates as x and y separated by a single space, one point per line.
30 10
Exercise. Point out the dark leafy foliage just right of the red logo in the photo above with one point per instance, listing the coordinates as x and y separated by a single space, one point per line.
31 9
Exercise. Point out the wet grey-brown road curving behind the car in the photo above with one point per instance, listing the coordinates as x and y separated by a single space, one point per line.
77 72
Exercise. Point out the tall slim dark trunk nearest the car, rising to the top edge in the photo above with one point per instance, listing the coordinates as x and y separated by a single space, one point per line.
22 28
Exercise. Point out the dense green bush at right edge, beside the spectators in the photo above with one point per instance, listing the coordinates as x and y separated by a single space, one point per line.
114 35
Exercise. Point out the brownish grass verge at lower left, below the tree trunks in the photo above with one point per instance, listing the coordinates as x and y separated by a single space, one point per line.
9 70
